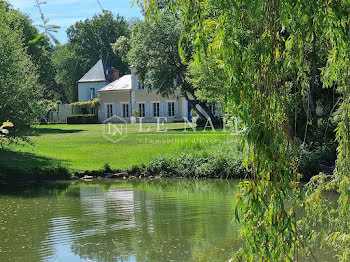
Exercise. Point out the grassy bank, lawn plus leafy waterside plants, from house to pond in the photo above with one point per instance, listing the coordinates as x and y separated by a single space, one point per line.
78 148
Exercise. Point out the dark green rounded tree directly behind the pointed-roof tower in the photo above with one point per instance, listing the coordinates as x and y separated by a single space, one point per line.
88 41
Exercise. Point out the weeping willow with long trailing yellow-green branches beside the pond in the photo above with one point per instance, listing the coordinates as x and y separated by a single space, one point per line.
261 46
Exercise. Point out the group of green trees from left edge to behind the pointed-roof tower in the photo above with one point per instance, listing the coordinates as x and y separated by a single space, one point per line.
36 75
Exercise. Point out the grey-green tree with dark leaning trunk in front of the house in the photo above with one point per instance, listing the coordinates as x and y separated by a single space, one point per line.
154 53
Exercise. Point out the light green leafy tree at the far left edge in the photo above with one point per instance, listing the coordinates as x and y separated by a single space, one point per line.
19 81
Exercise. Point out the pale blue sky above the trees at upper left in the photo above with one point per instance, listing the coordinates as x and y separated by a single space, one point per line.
66 12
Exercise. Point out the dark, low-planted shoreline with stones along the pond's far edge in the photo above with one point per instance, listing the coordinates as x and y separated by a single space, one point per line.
161 171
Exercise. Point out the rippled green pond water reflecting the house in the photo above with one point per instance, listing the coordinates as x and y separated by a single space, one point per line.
135 220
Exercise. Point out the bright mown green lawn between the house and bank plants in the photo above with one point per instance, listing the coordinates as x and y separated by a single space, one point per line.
83 147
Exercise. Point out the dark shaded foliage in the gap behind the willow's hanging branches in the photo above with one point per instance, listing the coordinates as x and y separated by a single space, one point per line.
314 137
